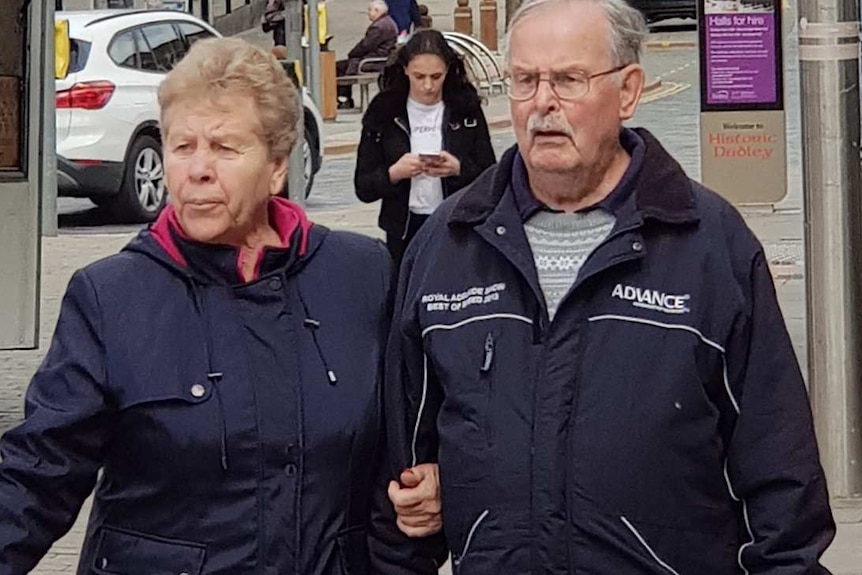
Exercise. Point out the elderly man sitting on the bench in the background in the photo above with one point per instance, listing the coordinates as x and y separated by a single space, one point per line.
378 42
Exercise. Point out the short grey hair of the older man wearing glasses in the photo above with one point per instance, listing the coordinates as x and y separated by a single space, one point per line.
627 26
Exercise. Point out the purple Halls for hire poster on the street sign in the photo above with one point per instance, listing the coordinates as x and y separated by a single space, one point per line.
740 53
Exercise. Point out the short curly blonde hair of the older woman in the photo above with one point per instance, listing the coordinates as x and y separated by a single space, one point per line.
217 67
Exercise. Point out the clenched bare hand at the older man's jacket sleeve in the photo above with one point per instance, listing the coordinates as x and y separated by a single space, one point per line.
417 500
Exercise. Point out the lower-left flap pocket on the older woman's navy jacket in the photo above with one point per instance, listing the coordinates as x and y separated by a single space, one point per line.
121 552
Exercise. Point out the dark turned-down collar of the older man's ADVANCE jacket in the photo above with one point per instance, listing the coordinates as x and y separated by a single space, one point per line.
661 189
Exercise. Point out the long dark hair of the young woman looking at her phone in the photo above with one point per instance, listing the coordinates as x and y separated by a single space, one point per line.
457 88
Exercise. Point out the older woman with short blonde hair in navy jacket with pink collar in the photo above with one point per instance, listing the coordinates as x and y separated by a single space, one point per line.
222 371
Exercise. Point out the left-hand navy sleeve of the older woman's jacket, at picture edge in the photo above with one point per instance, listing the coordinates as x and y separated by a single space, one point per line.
51 460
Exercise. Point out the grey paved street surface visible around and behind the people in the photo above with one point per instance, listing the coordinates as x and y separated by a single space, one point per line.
669 110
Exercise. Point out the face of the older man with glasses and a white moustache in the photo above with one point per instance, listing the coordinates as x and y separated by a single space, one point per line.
559 136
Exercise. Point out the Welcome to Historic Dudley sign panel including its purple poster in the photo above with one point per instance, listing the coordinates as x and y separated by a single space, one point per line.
742 121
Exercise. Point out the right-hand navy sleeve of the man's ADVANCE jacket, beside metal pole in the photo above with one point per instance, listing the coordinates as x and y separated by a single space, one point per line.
773 467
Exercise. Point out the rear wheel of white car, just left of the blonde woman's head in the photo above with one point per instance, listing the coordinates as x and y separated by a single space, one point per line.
142 194
